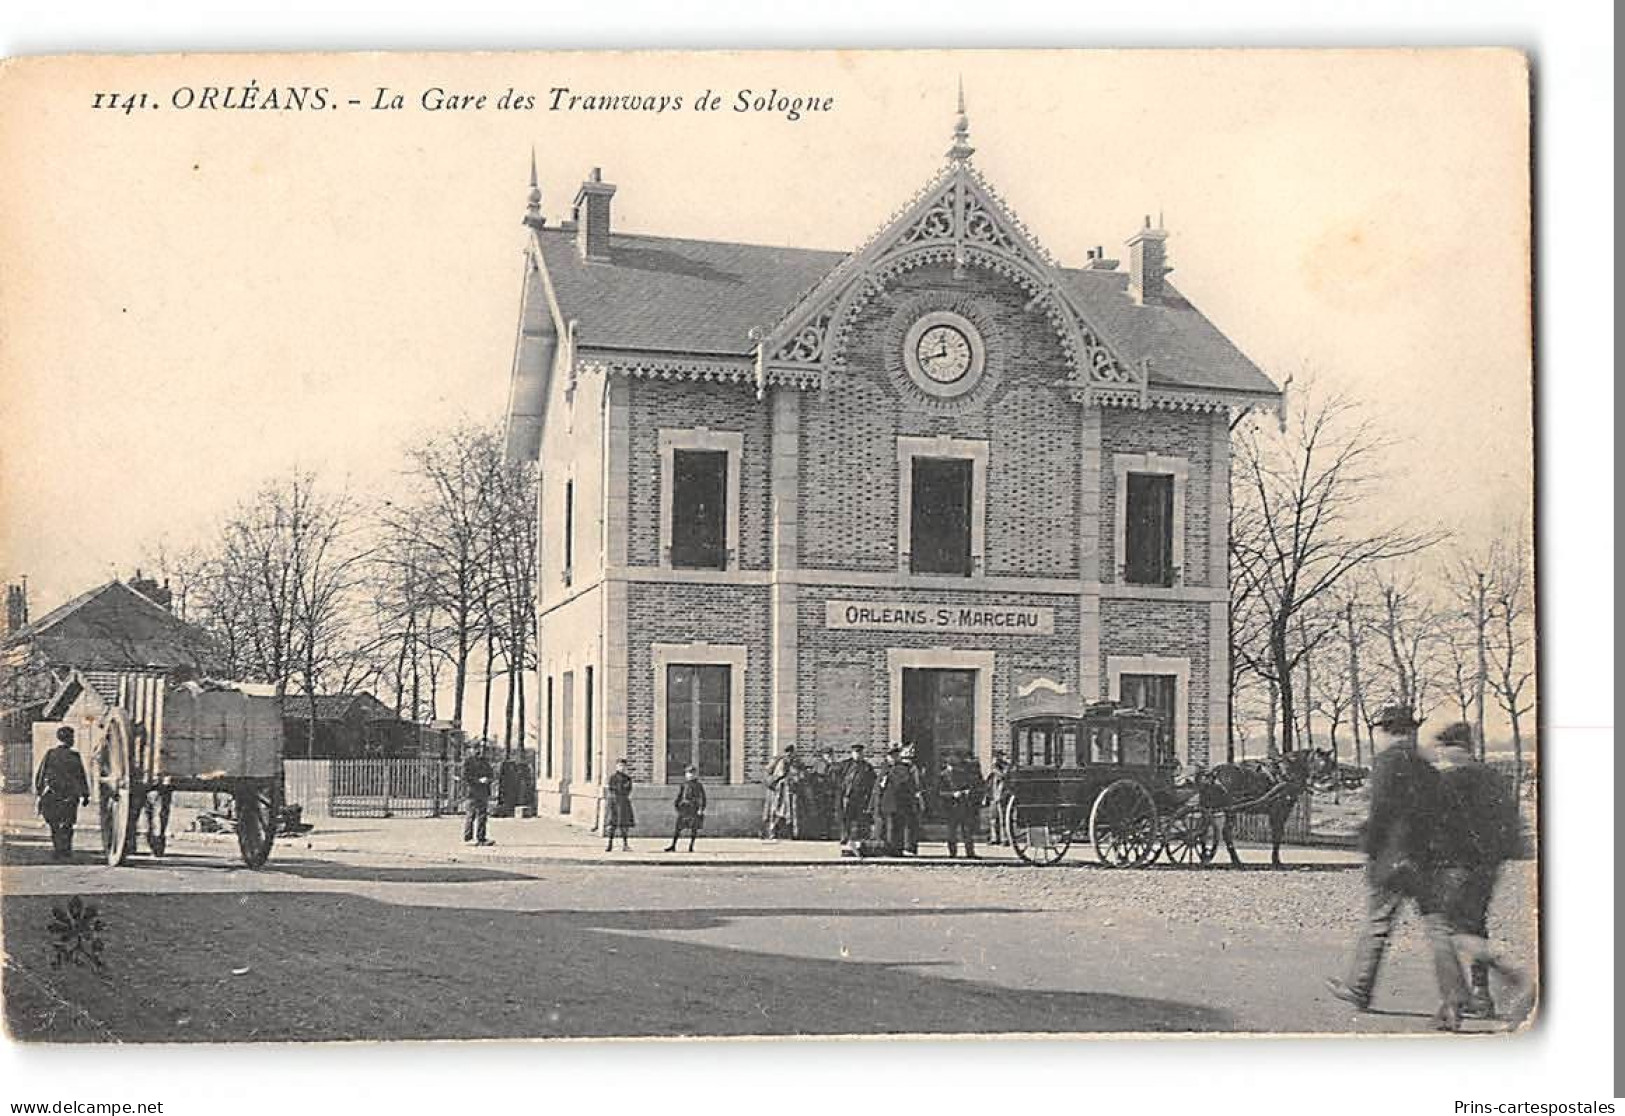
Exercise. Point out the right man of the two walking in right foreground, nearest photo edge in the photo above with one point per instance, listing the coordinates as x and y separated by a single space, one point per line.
1478 829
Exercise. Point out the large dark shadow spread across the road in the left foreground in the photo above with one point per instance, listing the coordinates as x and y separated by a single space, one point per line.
321 966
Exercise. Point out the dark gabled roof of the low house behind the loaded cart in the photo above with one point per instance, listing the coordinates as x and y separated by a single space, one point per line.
113 626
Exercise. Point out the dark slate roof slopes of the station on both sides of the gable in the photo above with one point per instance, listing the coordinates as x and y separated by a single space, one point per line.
669 295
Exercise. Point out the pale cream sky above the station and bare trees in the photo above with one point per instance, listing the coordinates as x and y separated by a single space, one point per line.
196 301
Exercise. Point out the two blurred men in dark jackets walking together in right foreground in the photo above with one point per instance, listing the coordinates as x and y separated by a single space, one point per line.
1439 829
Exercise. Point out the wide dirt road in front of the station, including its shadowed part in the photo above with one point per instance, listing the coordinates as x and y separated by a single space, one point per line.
363 946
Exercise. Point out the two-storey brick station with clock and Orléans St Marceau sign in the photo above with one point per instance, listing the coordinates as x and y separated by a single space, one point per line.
888 496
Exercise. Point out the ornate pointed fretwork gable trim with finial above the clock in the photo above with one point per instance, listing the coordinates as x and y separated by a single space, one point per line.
956 220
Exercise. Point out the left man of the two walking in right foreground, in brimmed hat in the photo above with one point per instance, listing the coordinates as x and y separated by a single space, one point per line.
1398 844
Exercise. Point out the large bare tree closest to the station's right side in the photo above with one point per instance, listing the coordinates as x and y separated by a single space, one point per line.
1307 483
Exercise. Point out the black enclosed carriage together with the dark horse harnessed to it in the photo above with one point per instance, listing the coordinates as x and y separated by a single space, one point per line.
1111 777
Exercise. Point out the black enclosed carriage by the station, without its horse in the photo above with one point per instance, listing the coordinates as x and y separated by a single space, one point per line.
1109 776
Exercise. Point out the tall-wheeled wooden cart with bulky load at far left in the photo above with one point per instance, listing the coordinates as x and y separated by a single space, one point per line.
158 737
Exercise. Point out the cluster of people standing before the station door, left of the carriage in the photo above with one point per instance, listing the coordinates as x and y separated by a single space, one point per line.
880 807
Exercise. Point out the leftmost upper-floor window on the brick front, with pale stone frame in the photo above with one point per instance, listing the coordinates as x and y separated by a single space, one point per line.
700 500
